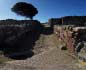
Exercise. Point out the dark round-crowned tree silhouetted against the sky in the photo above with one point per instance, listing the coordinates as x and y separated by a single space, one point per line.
25 9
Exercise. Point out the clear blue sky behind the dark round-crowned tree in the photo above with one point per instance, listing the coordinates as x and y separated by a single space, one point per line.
46 9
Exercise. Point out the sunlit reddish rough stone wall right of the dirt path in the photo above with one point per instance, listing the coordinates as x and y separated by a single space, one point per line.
74 39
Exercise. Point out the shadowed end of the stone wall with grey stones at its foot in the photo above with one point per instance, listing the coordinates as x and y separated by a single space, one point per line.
80 45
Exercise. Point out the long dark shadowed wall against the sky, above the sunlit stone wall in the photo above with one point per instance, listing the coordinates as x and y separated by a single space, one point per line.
69 20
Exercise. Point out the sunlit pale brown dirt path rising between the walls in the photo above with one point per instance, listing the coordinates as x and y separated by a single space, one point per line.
51 58
